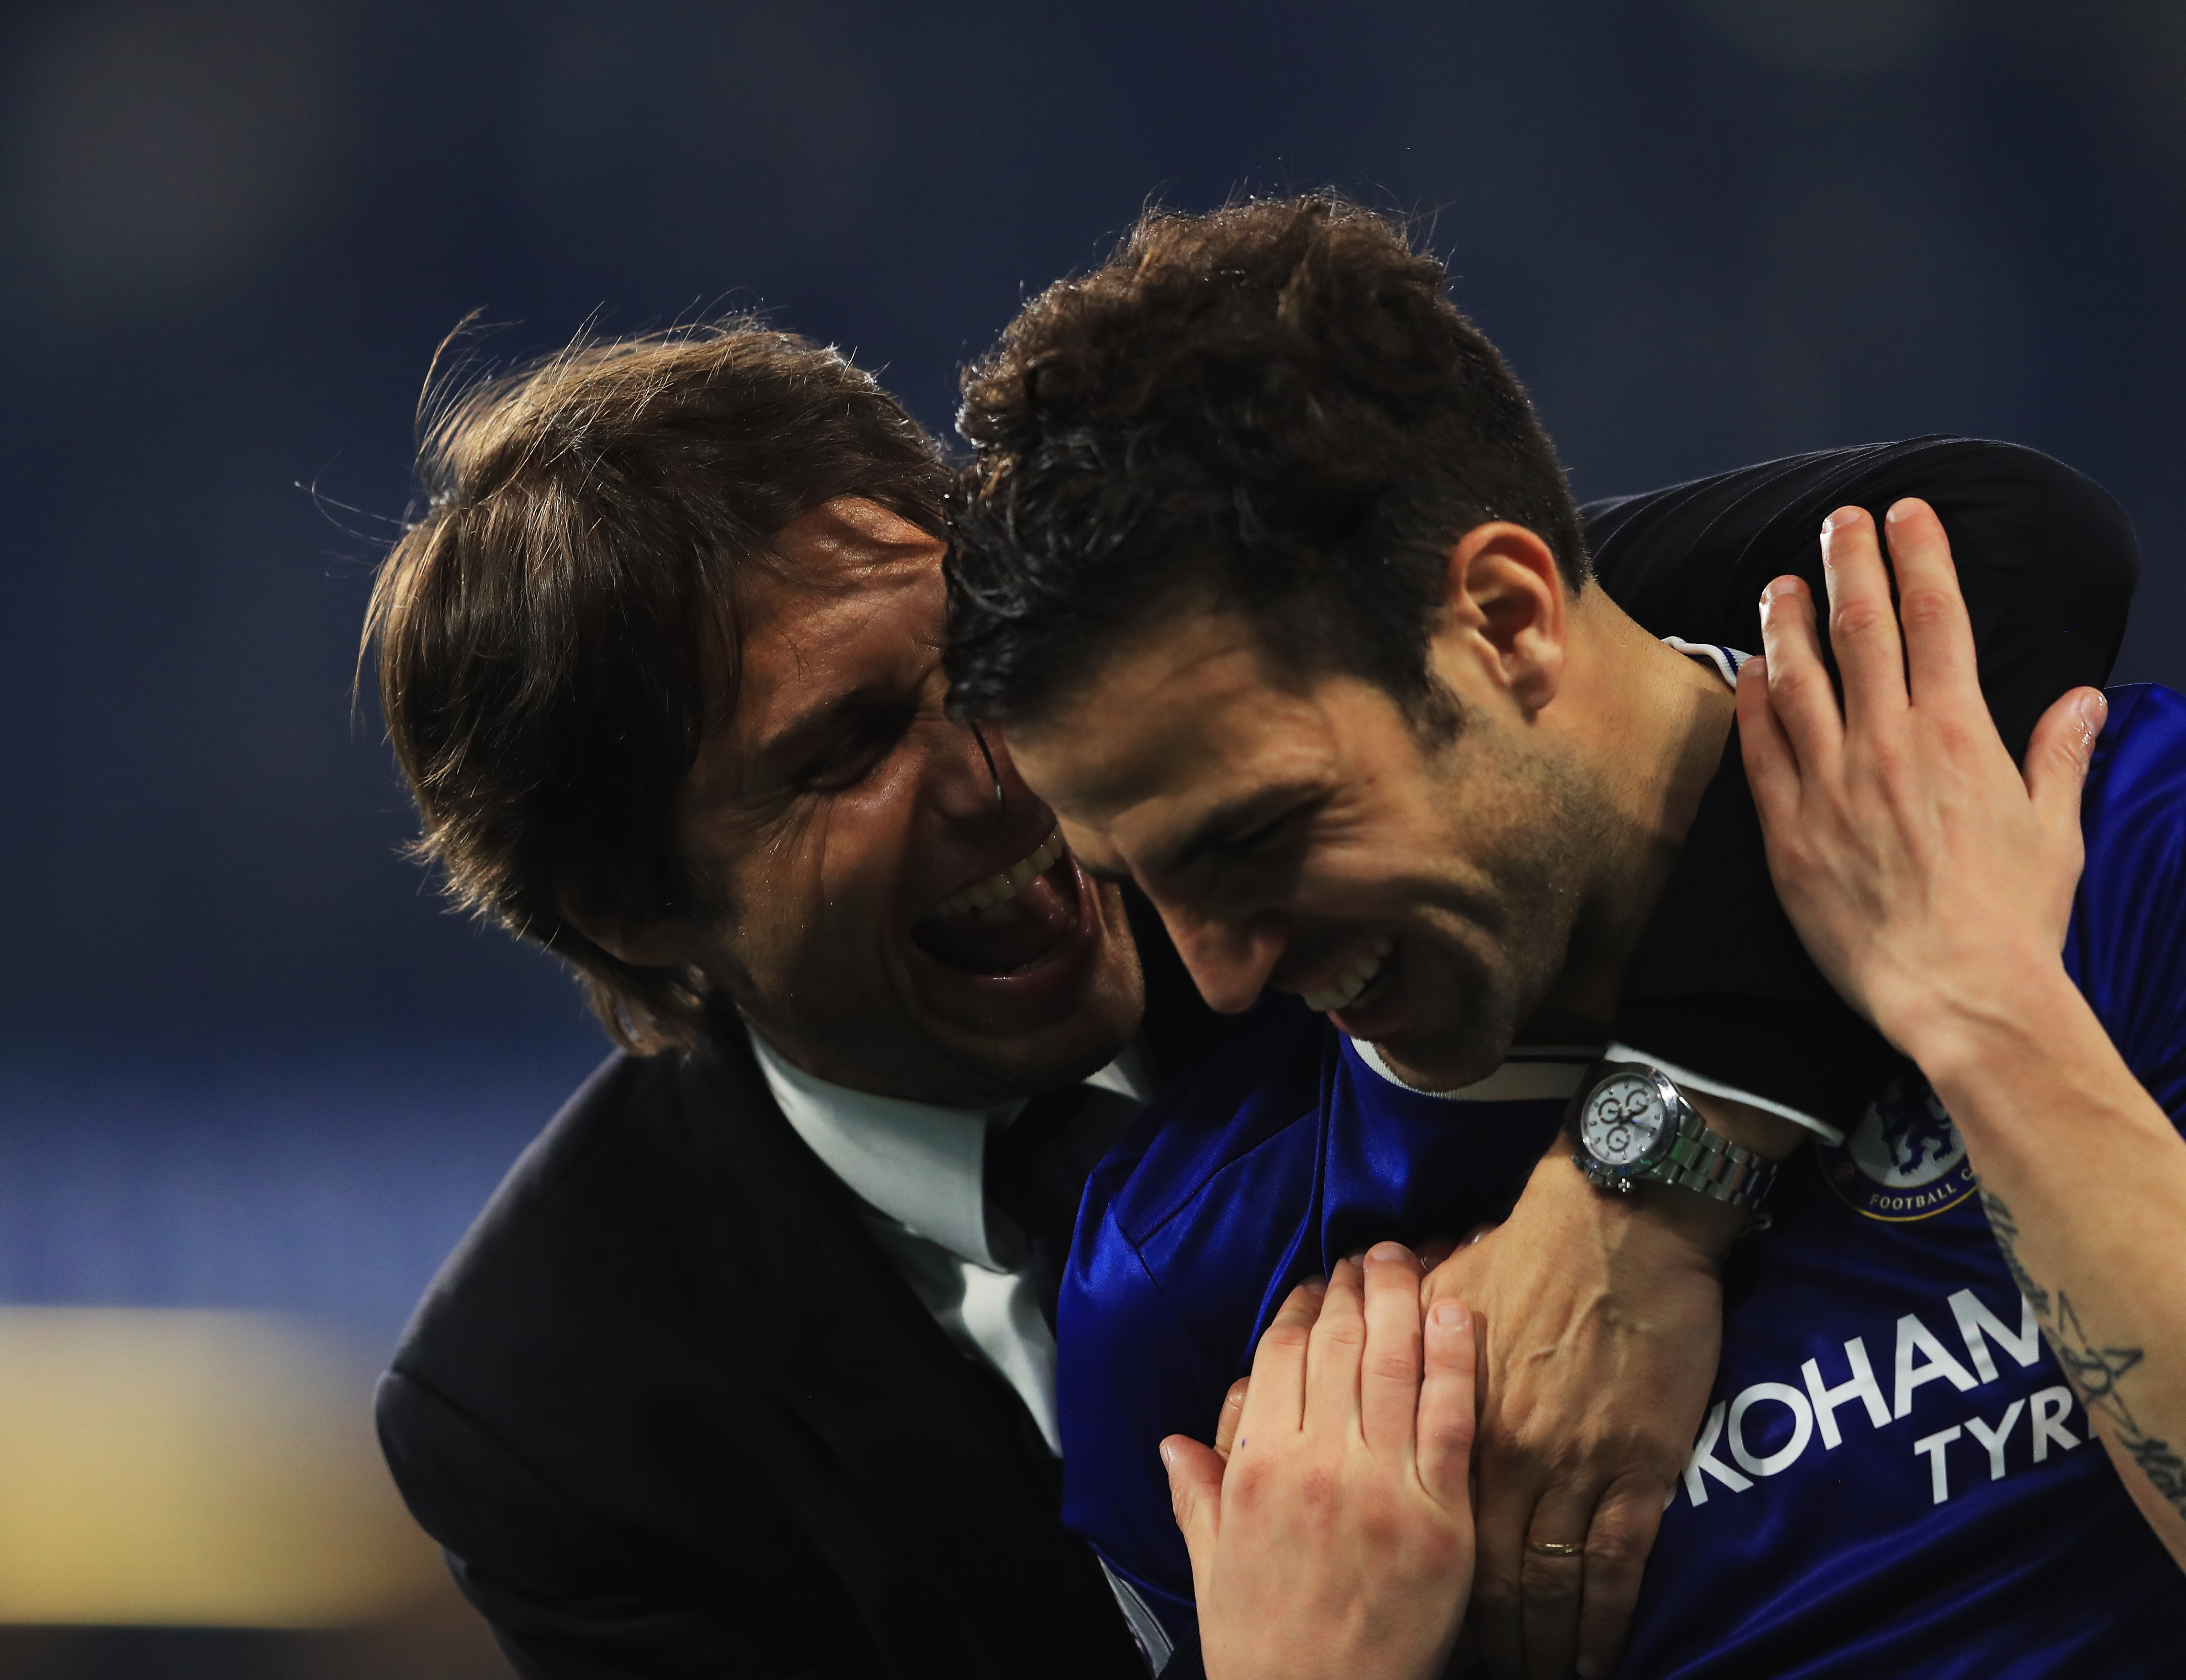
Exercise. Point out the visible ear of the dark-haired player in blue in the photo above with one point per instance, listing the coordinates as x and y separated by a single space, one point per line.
1505 615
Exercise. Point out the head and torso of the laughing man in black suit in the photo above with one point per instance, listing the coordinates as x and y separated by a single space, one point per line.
707 1391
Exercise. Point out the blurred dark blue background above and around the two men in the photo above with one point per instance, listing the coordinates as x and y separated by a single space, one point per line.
248 1058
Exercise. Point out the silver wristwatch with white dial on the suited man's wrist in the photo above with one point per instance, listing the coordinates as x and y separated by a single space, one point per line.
1634 1126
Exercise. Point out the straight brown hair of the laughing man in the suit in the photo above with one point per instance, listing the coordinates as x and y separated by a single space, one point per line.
559 630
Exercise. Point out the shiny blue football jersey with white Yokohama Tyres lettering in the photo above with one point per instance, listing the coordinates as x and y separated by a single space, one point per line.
1892 1476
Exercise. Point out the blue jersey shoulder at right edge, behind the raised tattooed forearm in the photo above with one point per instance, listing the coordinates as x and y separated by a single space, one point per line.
2128 943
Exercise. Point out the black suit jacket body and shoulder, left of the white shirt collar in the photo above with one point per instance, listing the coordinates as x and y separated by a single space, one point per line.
674 1415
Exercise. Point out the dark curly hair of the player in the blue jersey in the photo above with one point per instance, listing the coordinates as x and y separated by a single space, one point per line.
1273 407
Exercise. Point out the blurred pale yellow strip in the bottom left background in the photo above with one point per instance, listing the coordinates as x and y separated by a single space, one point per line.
207 1480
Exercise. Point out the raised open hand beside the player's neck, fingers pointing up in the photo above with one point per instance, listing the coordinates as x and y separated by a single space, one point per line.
1918 862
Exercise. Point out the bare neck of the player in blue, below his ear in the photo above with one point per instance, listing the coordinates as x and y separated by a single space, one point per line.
1658 724
